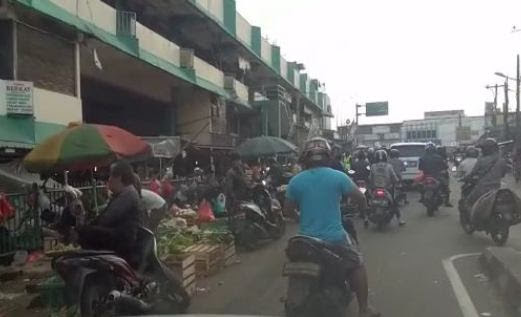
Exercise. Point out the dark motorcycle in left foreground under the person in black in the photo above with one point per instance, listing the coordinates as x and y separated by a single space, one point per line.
102 283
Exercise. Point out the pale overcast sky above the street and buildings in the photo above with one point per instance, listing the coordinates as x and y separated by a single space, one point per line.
420 55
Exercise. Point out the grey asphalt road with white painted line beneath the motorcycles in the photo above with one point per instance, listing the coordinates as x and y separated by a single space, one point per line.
407 276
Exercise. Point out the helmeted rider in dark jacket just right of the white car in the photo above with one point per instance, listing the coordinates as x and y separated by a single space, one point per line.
434 165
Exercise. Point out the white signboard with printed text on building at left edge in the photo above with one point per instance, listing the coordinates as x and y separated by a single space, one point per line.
17 97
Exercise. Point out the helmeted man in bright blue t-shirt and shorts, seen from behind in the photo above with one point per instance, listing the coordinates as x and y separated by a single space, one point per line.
317 192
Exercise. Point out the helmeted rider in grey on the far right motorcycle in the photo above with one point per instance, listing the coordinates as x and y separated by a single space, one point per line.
490 168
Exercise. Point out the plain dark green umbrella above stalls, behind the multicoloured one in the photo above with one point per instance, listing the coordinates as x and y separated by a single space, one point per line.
265 146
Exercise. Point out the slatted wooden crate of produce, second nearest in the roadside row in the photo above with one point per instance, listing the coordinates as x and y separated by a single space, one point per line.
208 258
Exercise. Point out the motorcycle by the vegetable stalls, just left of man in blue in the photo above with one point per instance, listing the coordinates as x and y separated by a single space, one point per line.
258 219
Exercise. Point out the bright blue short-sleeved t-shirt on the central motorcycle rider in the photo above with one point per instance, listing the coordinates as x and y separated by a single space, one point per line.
318 192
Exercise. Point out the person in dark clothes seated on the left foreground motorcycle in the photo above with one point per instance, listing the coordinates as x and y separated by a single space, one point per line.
116 227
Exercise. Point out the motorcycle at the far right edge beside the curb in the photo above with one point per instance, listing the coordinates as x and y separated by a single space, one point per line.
501 217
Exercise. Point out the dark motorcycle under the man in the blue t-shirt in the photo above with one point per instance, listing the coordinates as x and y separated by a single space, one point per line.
314 286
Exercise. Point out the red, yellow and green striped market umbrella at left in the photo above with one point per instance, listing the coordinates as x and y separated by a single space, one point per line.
84 146
